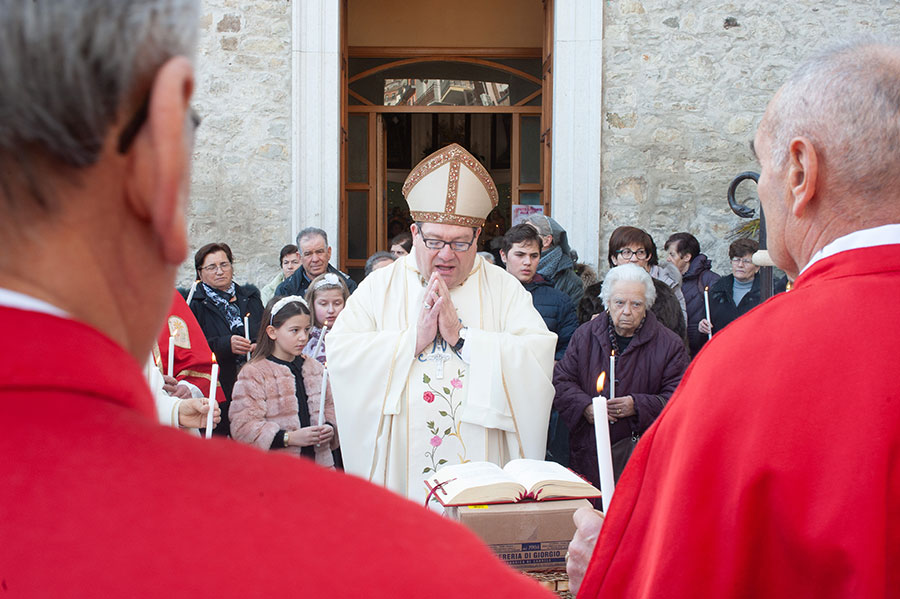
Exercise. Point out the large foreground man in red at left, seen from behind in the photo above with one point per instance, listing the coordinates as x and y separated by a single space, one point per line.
96 498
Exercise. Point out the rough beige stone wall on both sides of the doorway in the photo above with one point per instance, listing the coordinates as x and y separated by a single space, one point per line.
683 87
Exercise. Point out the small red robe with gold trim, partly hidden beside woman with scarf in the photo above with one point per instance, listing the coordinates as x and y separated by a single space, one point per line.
193 357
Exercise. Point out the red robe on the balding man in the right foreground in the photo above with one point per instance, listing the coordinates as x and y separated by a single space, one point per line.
775 469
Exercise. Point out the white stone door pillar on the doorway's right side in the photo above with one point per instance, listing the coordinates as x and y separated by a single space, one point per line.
578 123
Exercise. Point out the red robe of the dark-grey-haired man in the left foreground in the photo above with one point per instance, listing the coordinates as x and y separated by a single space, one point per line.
98 500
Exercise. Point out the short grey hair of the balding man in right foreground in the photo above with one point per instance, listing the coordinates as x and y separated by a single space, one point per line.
846 101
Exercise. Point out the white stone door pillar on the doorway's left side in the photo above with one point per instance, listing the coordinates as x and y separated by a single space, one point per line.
316 118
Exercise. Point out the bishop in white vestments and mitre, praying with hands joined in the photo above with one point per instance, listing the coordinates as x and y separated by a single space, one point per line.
440 358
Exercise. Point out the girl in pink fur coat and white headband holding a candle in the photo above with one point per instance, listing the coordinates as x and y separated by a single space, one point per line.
277 394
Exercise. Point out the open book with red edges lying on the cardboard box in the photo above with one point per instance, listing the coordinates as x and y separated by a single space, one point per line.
484 482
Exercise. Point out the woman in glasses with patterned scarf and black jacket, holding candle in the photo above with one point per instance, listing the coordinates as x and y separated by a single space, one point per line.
220 306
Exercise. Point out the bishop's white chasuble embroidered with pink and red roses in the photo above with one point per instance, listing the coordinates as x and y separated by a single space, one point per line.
401 416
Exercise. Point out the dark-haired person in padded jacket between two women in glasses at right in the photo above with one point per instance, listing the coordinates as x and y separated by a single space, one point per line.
683 250
